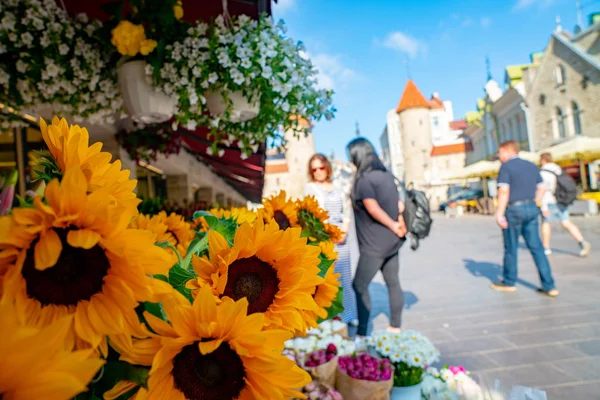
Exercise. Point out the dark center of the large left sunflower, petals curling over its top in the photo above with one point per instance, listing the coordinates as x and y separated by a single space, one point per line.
77 276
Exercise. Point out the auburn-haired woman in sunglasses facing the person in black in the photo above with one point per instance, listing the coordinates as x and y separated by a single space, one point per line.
333 200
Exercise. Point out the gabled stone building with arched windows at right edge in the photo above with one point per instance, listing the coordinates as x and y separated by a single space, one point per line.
563 91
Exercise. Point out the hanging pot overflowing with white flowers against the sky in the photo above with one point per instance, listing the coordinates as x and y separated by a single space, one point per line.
244 79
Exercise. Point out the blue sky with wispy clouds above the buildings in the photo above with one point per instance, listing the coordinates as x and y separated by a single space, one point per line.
362 47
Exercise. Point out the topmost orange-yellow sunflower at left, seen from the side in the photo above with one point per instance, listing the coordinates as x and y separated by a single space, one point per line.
69 146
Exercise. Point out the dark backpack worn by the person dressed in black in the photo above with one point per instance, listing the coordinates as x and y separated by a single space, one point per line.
417 215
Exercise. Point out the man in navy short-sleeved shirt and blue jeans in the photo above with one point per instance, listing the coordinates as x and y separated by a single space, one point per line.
520 191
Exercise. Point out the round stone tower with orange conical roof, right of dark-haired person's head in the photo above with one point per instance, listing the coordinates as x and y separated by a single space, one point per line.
415 129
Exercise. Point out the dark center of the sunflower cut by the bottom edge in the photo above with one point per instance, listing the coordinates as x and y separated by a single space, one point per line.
218 375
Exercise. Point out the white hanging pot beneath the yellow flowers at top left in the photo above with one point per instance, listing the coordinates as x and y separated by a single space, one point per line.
142 102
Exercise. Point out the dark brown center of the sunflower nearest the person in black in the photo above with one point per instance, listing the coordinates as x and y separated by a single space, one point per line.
254 279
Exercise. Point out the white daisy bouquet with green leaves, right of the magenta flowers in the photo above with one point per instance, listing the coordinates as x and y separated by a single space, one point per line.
410 352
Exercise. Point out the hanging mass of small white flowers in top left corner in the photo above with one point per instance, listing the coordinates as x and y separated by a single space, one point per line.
51 64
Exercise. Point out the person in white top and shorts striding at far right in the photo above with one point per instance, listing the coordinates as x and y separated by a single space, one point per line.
552 211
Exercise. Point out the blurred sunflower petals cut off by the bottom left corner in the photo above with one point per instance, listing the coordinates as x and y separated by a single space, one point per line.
34 363
